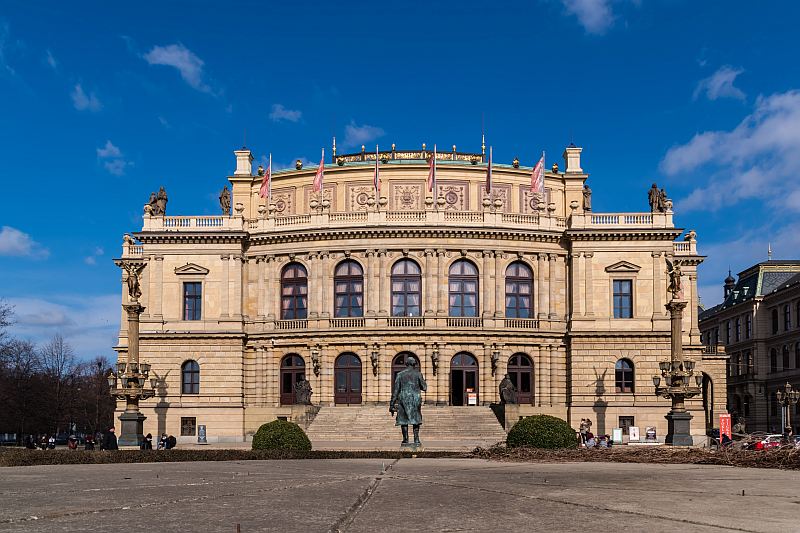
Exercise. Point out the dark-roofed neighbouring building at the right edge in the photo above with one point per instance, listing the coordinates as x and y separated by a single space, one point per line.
758 323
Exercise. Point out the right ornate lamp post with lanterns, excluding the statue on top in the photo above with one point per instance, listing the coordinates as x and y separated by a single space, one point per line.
677 375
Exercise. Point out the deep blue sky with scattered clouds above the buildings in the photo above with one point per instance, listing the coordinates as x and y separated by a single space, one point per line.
101 104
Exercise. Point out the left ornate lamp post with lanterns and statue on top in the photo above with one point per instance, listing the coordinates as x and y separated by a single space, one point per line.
130 381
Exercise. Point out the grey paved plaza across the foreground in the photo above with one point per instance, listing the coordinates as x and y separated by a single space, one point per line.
413 494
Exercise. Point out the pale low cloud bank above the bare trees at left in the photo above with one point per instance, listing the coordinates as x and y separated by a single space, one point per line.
90 324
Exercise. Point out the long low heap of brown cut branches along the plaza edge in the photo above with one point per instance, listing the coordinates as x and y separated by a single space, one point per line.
787 457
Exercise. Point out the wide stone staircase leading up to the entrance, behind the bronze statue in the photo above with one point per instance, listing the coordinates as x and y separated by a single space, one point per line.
462 427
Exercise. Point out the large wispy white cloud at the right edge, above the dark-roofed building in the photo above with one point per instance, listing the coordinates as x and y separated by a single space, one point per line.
757 160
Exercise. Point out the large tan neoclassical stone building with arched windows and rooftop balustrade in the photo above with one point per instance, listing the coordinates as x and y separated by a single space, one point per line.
342 286
